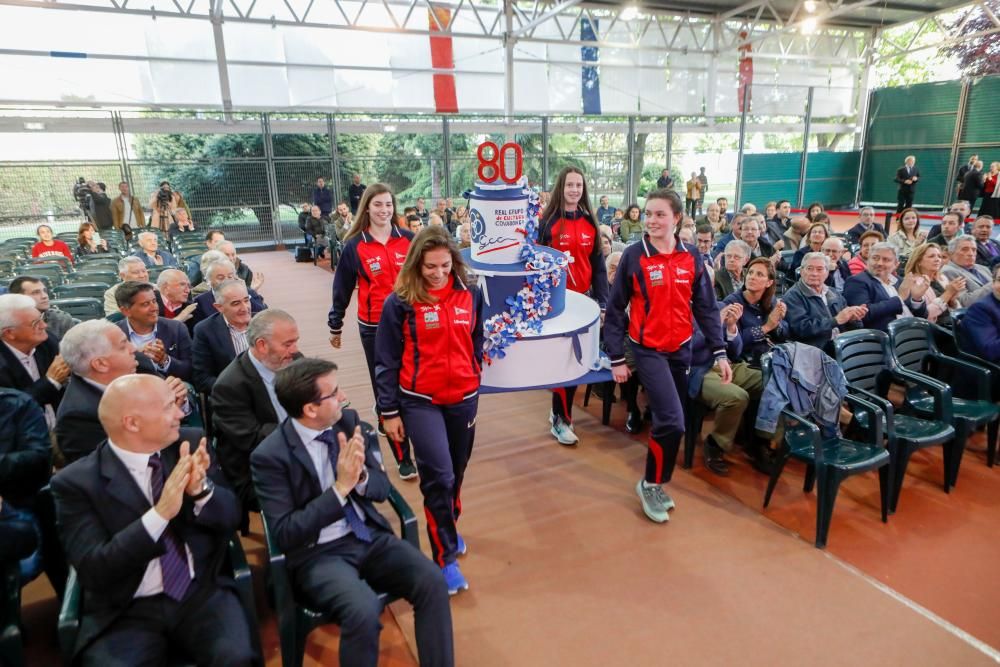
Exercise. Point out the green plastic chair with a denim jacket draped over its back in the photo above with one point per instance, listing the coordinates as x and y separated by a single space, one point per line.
829 461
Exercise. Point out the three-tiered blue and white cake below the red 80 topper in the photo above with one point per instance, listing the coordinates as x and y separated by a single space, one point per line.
538 334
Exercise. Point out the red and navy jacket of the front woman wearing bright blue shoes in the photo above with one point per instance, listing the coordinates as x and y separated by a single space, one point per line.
429 351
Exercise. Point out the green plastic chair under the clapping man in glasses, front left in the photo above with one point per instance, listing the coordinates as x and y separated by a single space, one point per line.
295 621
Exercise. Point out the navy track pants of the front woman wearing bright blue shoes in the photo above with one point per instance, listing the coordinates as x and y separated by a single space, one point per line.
442 437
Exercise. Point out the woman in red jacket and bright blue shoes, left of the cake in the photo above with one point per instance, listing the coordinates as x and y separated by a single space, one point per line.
427 359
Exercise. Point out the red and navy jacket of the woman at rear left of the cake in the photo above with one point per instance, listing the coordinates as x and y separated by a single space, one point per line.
375 266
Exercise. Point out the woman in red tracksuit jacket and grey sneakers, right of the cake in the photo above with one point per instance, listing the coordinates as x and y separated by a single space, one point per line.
662 283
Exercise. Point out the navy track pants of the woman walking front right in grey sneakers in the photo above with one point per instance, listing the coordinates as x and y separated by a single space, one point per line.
665 377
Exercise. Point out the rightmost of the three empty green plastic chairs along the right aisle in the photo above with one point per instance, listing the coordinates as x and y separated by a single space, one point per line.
919 365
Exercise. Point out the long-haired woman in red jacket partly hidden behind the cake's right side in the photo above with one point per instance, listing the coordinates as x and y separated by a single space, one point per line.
568 224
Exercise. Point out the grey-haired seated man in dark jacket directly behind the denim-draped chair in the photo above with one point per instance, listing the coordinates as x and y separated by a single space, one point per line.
818 313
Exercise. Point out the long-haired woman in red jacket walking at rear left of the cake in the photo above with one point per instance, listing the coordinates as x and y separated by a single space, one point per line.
373 254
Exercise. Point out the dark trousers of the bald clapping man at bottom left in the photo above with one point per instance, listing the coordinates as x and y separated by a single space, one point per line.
209 626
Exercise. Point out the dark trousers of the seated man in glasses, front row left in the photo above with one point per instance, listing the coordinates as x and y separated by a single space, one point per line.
341 578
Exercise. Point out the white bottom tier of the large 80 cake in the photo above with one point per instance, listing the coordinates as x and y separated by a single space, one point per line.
566 349
